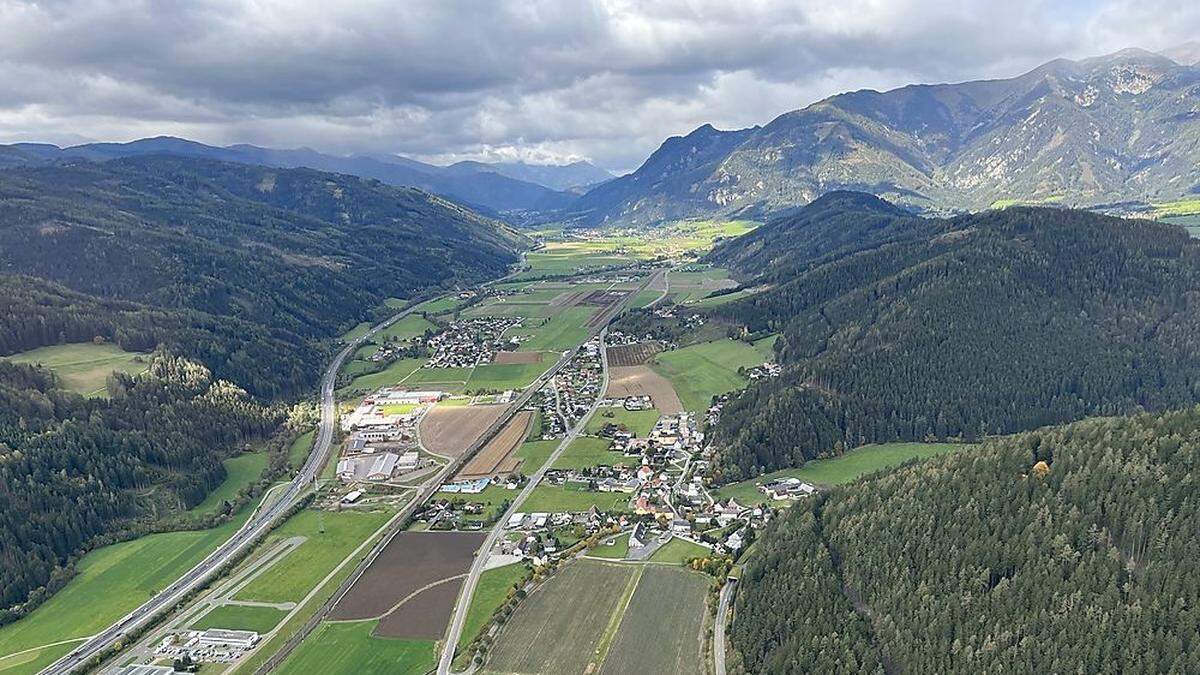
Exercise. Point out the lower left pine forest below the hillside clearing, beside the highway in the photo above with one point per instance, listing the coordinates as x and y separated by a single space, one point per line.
74 469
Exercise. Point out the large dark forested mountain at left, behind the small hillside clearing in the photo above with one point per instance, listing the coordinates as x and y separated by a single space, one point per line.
295 254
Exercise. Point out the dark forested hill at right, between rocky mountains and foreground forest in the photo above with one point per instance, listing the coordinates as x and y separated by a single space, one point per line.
903 328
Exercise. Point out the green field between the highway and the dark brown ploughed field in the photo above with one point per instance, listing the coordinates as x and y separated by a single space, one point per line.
331 539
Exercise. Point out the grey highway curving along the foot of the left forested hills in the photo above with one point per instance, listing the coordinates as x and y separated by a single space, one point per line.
259 525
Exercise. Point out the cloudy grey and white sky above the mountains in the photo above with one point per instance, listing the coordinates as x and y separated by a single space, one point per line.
542 81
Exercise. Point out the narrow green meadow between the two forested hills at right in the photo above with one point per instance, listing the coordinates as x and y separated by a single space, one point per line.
836 471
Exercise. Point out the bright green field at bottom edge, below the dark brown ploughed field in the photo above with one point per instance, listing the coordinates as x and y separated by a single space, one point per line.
350 649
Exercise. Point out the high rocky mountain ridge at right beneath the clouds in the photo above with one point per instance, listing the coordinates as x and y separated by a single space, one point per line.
1113 129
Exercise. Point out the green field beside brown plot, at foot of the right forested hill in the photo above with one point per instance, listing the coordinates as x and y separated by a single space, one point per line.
706 371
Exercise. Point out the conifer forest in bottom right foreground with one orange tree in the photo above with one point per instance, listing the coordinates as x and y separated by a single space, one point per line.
1069 549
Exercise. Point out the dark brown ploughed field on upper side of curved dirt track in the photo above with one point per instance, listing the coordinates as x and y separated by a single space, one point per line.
412 561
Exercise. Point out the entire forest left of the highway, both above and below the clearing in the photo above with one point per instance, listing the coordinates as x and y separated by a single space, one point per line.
236 277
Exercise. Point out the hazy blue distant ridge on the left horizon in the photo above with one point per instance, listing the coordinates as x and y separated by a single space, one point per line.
493 189
